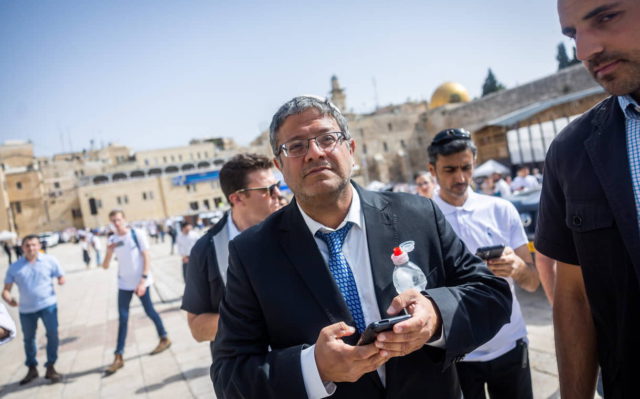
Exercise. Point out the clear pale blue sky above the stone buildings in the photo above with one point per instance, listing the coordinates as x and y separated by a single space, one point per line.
156 73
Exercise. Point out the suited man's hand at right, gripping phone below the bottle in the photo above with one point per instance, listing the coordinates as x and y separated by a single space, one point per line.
411 334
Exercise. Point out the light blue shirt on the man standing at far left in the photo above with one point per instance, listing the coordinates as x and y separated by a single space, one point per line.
34 281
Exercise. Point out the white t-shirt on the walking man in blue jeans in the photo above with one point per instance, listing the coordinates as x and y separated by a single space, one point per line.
130 260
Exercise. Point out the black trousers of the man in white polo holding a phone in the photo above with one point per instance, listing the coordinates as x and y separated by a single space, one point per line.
507 376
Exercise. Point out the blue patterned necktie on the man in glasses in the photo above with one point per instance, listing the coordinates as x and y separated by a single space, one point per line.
342 274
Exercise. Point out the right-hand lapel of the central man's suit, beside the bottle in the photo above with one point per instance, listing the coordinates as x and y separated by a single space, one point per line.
382 236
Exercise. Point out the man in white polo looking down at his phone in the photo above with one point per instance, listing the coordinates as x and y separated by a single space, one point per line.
482 220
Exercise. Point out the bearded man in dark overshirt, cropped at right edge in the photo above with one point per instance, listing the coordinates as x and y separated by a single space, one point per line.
589 208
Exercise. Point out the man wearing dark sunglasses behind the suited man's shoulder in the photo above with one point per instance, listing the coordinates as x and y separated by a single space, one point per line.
248 183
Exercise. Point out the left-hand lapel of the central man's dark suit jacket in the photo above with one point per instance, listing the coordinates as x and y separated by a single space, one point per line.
301 249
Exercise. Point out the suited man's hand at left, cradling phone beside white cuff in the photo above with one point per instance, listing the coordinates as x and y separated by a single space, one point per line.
341 362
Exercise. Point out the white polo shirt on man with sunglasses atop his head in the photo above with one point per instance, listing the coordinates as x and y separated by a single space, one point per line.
486 220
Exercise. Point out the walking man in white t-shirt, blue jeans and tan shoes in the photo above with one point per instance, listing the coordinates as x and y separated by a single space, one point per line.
134 276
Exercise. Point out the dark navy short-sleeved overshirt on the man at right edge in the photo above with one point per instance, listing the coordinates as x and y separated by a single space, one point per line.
588 217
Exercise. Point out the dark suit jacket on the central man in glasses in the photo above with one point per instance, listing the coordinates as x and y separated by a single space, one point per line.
280 294
